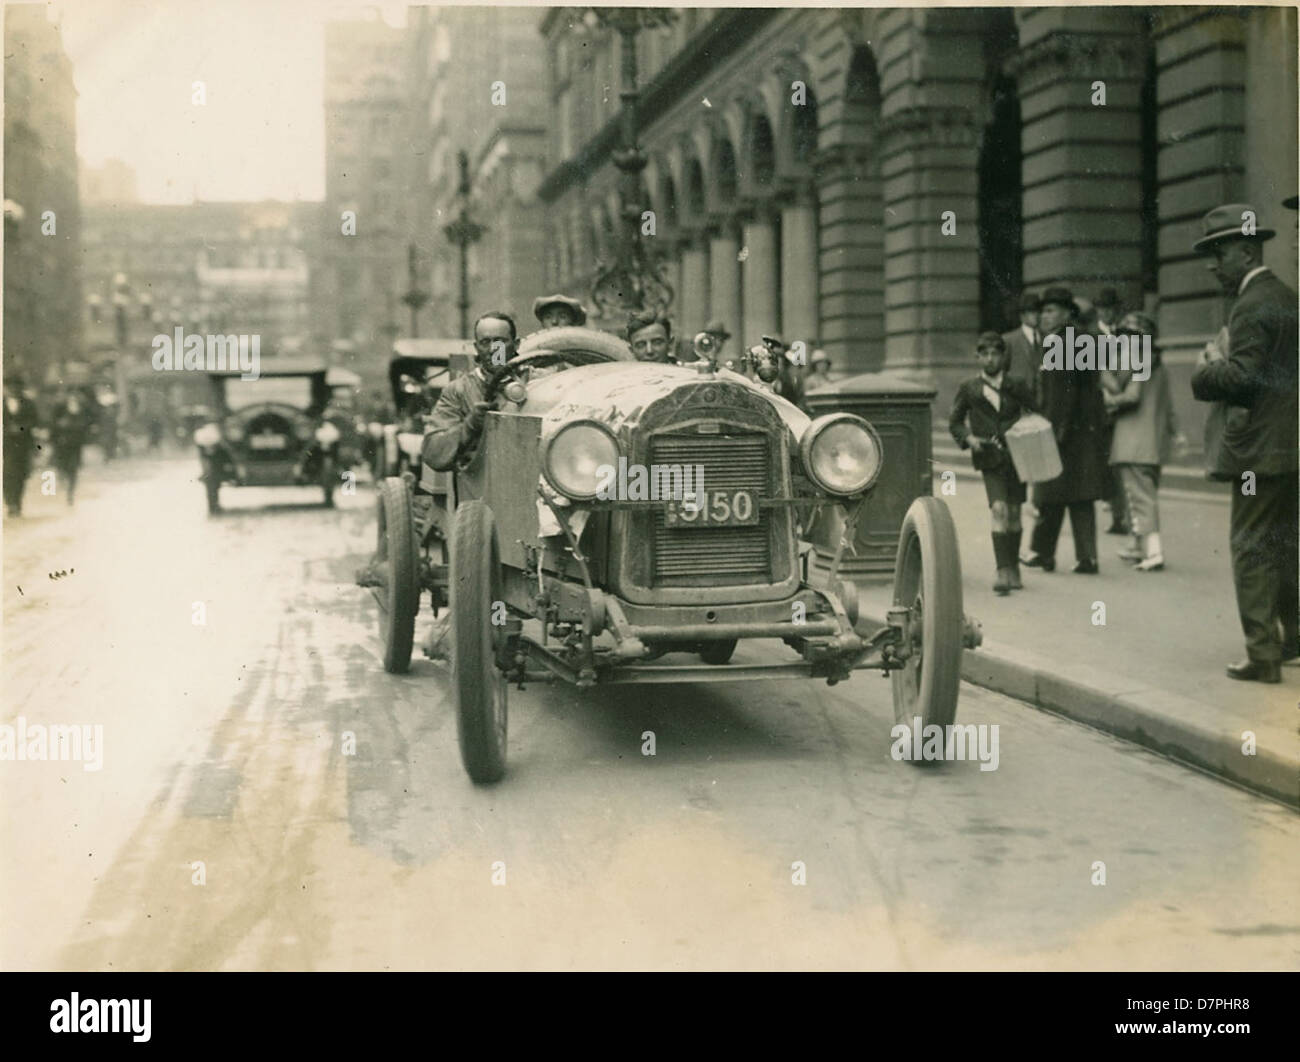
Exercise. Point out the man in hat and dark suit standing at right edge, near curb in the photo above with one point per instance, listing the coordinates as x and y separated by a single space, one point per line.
1258 380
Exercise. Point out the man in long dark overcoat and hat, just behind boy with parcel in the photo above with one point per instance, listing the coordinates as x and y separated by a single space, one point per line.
1072 401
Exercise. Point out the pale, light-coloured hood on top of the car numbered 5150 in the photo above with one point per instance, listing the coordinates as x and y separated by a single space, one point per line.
618 393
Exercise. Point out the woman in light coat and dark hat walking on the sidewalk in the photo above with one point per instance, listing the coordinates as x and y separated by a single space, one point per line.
1146 431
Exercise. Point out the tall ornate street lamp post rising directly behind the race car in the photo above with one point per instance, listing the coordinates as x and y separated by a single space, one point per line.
635 280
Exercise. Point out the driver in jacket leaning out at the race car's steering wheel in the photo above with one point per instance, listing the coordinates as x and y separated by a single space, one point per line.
457 422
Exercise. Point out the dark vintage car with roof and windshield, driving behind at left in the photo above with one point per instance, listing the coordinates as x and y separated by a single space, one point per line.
270 432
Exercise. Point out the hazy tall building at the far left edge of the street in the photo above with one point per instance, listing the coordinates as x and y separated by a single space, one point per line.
42 210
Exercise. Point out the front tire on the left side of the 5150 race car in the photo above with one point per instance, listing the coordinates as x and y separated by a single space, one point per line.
478 683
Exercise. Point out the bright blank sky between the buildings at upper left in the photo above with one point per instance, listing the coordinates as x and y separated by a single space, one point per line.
262 133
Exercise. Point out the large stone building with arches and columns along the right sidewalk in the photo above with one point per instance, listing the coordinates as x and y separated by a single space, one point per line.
934 164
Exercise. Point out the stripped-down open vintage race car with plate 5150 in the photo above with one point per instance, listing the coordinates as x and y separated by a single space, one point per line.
629 512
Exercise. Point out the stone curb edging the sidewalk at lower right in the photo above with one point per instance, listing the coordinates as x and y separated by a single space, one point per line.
1156 719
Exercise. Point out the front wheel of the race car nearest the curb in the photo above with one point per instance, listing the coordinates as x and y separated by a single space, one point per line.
929 580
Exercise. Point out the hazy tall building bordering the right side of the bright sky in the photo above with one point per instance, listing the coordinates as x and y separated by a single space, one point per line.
367 184
